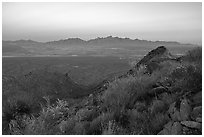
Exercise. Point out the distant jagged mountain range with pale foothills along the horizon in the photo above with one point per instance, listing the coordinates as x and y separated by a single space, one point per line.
106 46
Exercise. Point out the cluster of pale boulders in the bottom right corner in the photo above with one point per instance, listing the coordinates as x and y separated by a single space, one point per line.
183 119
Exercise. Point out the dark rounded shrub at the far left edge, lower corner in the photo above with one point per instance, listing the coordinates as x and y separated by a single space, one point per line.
16 106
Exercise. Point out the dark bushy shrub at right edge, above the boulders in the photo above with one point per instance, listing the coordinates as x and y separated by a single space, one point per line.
182 76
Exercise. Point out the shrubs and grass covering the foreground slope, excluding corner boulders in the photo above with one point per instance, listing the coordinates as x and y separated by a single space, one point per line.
136 104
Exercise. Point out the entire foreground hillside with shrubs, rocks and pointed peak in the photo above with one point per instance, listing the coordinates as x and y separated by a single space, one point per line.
161 94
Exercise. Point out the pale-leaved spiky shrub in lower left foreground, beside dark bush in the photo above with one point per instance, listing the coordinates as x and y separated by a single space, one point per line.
46 123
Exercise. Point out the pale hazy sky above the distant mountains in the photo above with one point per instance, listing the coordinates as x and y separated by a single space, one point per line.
151 21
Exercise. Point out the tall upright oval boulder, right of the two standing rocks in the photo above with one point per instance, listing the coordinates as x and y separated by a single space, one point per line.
185 110
